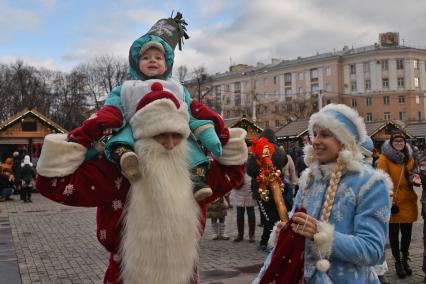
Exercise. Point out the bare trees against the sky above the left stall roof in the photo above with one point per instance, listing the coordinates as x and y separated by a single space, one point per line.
67 98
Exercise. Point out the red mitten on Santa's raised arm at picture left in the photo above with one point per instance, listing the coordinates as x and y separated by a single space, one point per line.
92 128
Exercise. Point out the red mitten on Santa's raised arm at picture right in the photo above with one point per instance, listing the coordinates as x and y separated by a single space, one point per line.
201 111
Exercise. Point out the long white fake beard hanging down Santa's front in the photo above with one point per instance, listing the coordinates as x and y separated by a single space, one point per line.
161 231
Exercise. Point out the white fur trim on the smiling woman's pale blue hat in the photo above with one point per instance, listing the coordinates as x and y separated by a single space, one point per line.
324 120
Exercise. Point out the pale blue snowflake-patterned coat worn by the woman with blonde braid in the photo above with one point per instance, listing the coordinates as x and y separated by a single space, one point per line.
359 217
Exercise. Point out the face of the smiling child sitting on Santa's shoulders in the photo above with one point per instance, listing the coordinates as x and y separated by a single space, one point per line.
152 63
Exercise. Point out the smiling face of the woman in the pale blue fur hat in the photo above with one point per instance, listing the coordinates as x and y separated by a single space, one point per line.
326 146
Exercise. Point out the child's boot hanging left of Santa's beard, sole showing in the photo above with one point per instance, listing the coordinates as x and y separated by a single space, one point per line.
129 163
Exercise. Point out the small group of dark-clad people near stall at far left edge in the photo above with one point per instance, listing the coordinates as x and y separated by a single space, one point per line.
17 176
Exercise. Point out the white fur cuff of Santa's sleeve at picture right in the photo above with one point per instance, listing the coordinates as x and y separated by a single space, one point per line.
235 151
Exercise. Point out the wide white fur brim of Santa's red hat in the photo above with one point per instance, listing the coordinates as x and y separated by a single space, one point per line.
160 116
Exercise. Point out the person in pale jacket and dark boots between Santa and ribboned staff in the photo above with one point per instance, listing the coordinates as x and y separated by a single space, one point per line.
242 199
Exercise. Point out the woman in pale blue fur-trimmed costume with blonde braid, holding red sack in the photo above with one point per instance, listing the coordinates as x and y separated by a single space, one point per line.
347 208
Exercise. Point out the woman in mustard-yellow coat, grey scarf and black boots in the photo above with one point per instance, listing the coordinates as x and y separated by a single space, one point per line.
397 161
